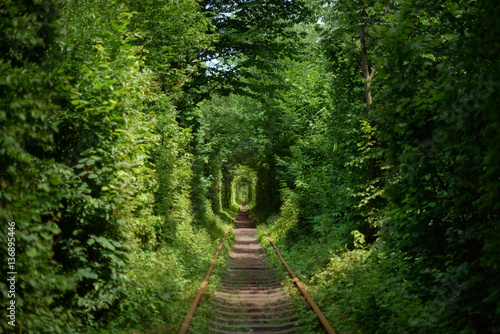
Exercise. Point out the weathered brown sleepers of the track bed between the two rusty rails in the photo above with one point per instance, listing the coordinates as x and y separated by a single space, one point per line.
251 297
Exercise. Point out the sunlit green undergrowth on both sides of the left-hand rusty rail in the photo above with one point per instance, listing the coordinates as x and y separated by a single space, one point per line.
161 285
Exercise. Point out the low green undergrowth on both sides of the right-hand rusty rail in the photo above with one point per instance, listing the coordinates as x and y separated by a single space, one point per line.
360 287
